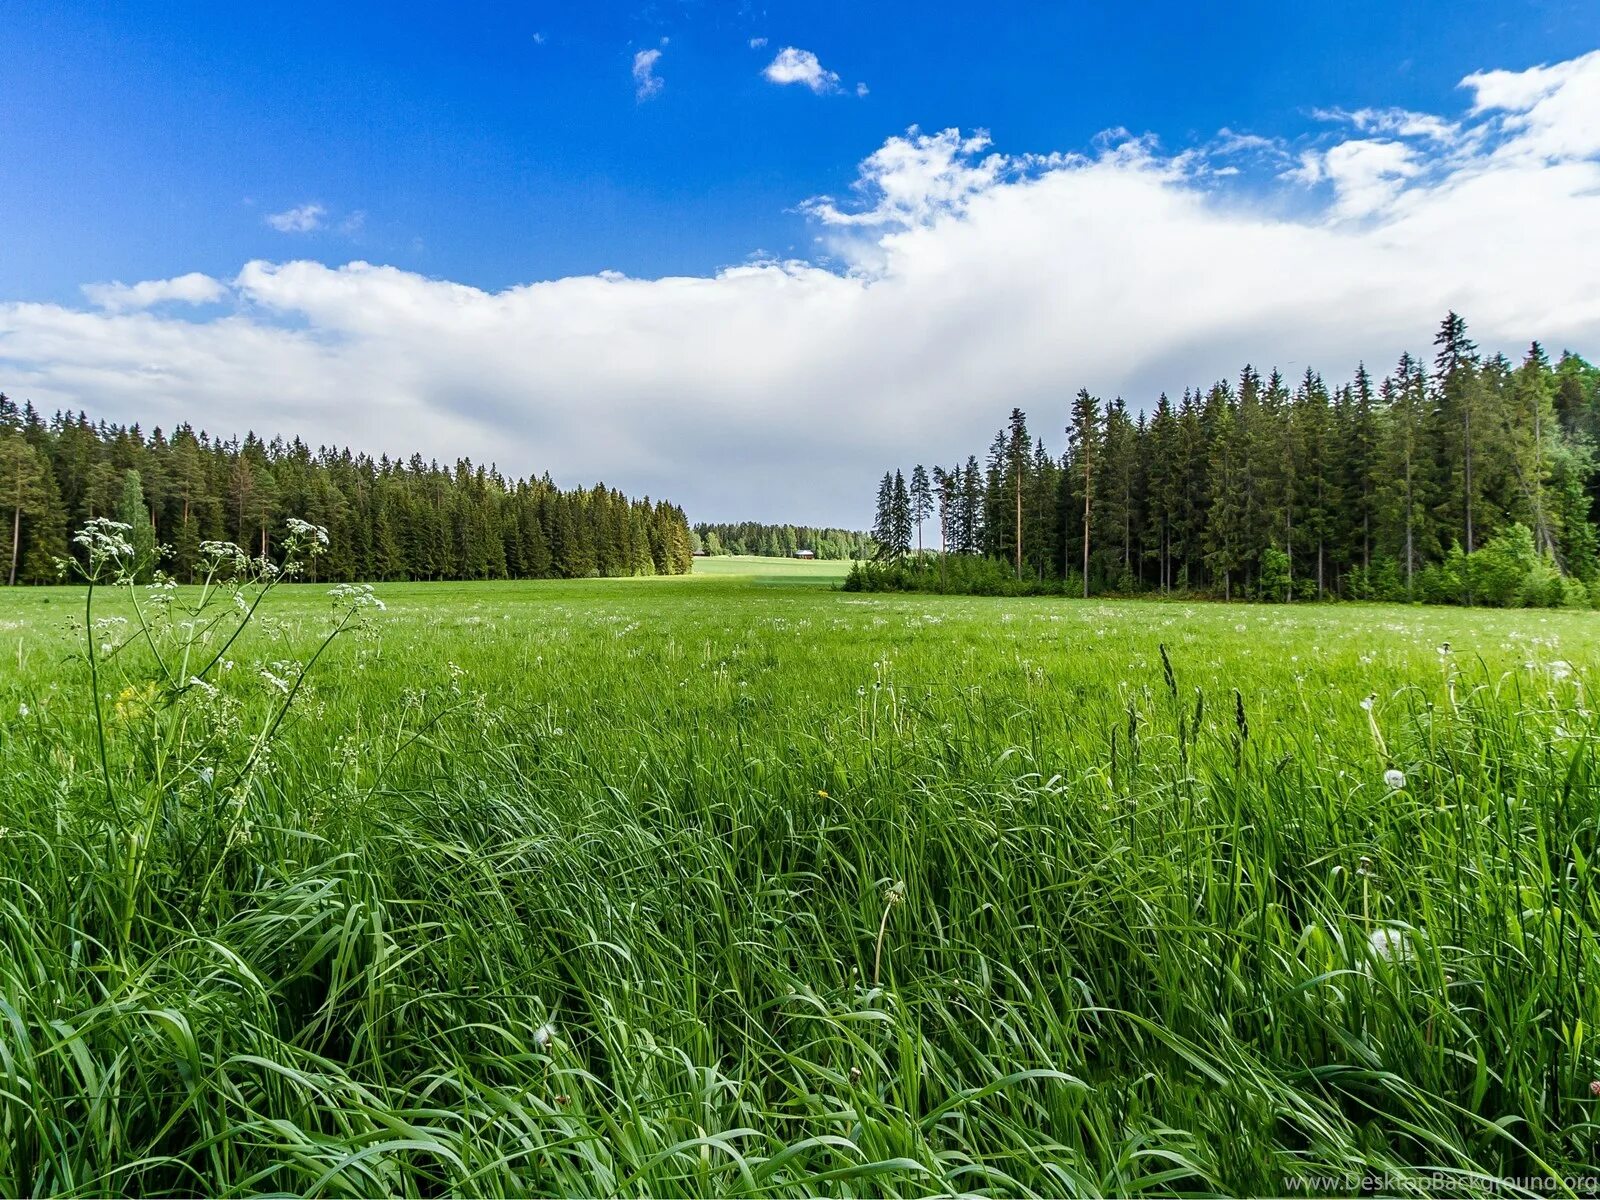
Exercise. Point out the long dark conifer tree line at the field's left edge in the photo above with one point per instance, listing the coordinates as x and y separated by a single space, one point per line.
388 519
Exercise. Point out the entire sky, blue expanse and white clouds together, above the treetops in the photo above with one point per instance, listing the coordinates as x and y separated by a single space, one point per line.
751 255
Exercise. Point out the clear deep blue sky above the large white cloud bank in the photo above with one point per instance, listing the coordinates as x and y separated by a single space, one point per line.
497 145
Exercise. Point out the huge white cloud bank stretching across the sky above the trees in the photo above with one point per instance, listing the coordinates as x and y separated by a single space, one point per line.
961 282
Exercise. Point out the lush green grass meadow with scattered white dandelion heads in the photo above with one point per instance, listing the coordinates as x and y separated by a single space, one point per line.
742 886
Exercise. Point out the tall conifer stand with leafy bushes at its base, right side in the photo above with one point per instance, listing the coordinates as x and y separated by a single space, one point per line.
1471 481
